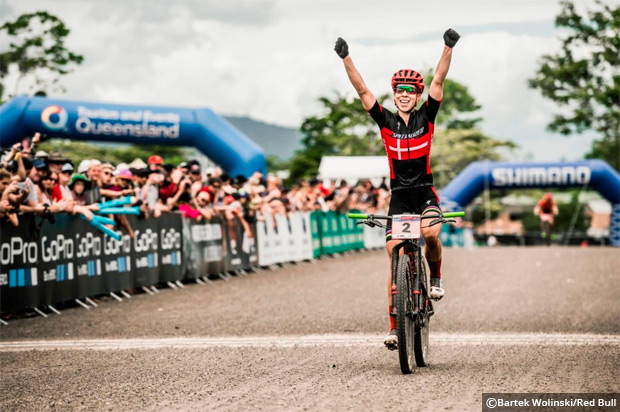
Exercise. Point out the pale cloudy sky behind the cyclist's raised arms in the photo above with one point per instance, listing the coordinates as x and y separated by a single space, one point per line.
271 60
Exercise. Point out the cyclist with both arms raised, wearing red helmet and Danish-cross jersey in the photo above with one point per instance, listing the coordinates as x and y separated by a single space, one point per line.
407 137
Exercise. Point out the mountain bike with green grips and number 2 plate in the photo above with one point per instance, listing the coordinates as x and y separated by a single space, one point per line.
412 306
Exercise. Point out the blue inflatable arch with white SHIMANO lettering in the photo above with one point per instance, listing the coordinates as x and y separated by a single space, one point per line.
593 174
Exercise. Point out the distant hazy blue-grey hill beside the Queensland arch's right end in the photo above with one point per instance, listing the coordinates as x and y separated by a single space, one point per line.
275 140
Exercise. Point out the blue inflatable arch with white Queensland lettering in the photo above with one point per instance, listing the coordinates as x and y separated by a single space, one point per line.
74 120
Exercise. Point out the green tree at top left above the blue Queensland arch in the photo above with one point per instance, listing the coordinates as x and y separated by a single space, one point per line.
36 51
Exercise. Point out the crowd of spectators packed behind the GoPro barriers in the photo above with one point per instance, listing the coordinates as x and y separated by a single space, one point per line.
46 184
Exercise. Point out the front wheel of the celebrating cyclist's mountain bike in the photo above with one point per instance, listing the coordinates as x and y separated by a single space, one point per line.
404 309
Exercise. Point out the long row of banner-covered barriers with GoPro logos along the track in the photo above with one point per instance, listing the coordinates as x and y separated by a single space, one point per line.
42 263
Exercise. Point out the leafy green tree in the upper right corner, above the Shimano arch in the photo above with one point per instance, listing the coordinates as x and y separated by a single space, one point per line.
583 77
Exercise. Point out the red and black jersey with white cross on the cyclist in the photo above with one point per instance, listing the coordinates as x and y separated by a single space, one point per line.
408 146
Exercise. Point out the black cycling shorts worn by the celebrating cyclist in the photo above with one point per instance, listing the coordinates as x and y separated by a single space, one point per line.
418 200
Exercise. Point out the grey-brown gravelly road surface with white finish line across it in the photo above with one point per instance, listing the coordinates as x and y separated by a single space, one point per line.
308 337
